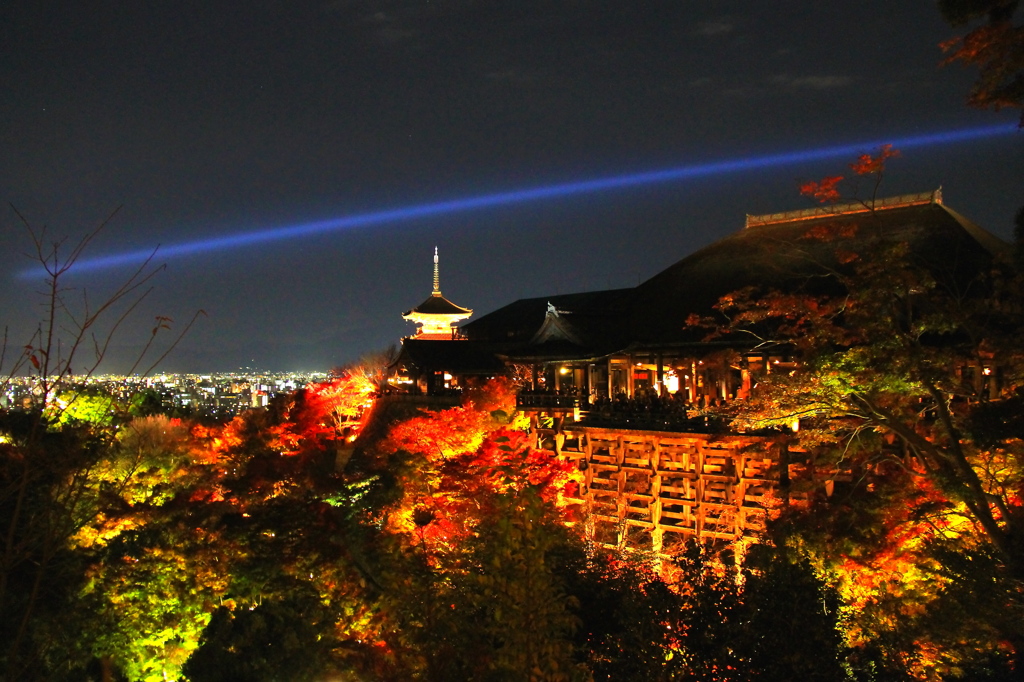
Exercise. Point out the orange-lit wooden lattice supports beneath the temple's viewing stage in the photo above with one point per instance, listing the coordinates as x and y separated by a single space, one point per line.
652 491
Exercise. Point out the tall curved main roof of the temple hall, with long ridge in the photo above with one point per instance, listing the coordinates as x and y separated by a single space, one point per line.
794 255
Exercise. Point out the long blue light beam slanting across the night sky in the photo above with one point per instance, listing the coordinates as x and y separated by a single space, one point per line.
408 214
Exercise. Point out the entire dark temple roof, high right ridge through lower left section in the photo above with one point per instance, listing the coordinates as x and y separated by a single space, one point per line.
786 251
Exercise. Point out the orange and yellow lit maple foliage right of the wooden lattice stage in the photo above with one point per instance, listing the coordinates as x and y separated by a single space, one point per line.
910 375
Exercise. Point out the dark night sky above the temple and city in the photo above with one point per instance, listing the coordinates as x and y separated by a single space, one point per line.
208 119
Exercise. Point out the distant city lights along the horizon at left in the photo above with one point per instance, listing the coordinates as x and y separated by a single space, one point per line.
223 396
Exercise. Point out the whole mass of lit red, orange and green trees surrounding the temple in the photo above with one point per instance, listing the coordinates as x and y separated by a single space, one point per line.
326 536
